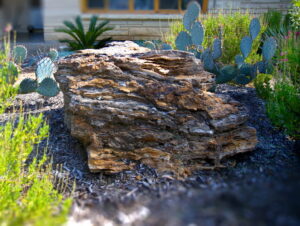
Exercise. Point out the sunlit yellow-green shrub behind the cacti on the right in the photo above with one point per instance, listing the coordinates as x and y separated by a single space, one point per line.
230 27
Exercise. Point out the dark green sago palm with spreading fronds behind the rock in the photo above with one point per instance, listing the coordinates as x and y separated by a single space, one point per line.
85 40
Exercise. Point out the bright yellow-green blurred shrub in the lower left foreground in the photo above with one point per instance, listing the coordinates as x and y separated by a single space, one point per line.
27 195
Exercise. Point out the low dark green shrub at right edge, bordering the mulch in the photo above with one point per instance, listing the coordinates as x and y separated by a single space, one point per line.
283 107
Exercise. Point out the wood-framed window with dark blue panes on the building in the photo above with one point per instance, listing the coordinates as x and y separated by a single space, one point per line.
139 6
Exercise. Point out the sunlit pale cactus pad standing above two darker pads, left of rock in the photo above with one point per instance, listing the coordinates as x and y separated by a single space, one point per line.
45 68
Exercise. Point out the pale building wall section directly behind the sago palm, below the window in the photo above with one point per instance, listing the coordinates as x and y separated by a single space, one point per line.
127 26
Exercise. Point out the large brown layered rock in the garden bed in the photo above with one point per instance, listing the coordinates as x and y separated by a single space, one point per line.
126 103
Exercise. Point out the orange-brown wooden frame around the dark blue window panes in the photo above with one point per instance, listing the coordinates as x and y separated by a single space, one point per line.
131 10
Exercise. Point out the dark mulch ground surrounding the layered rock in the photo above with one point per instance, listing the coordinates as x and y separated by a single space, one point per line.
260 188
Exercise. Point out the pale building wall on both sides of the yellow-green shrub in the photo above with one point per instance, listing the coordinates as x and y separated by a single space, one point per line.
143 26
